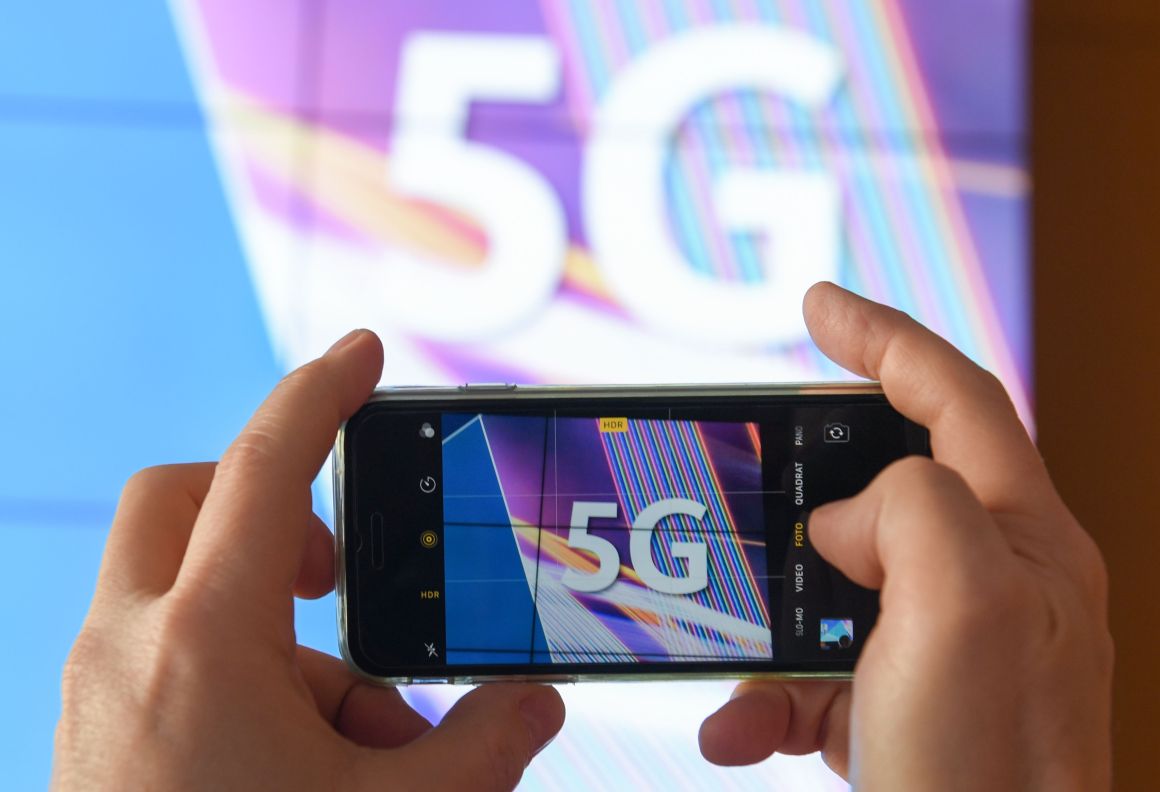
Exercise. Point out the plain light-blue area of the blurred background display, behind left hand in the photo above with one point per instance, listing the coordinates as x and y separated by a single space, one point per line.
130 335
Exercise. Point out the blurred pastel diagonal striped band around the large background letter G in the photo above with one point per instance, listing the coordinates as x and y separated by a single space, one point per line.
908 241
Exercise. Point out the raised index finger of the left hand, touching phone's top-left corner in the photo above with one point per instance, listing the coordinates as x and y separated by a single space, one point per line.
252 533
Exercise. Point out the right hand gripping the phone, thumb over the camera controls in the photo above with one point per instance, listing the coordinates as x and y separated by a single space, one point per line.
990 667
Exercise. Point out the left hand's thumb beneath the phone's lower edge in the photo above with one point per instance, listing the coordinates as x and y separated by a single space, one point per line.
488 738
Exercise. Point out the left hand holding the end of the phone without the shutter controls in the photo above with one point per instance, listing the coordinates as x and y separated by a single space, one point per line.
187 675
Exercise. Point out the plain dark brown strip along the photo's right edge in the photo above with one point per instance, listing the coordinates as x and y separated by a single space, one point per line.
1097 231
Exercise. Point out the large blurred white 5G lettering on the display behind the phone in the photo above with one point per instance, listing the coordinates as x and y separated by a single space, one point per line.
625 202
